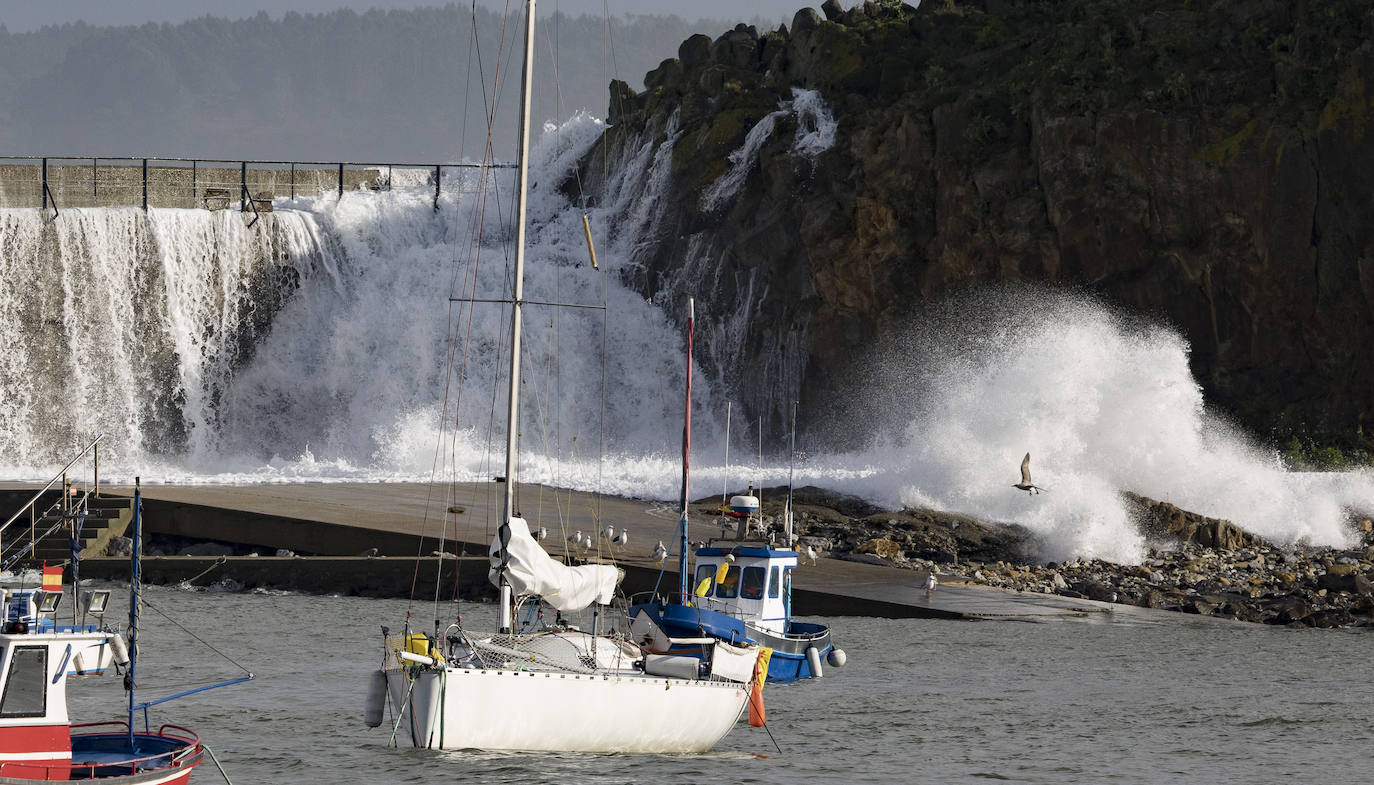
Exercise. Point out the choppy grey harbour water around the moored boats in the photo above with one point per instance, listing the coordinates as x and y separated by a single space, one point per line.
920 702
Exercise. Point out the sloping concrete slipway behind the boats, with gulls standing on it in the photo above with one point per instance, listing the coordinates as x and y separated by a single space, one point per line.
399 526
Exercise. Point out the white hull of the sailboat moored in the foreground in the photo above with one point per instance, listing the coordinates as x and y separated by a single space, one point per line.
545 711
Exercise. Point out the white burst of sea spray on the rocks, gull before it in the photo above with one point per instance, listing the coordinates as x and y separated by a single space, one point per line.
1103 402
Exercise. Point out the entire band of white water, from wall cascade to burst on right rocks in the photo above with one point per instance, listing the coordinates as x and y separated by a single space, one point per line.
317 347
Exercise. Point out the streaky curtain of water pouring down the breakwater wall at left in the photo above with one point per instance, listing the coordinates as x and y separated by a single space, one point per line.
130 324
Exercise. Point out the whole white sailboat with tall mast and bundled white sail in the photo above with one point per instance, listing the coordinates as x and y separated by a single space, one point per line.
556 688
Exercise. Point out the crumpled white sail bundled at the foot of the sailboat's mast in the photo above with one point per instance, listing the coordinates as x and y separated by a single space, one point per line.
532 571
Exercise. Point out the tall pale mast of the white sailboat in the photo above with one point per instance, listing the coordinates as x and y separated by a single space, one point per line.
517 296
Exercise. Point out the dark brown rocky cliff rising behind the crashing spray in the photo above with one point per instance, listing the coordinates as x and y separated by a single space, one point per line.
1203 164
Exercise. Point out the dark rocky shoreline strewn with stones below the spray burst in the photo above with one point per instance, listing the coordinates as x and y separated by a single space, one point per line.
1193 566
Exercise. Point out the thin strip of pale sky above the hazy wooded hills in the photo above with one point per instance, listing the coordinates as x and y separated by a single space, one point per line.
27 16
